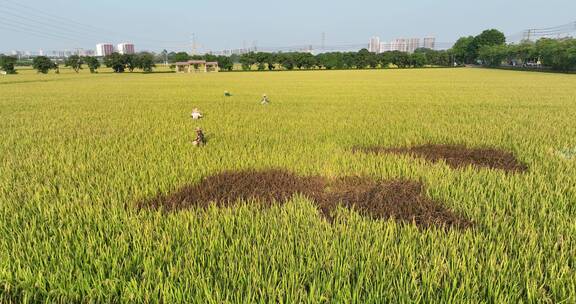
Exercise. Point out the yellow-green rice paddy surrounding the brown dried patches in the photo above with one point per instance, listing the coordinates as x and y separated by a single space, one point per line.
80 152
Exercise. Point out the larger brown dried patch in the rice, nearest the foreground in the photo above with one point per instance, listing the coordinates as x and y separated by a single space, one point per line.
401 200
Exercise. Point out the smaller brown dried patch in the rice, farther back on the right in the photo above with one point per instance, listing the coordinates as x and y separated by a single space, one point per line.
456 156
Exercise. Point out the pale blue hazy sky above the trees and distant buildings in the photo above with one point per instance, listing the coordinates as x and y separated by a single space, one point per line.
155 25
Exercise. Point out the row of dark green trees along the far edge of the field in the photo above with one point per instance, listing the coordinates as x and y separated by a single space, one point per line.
488 48
